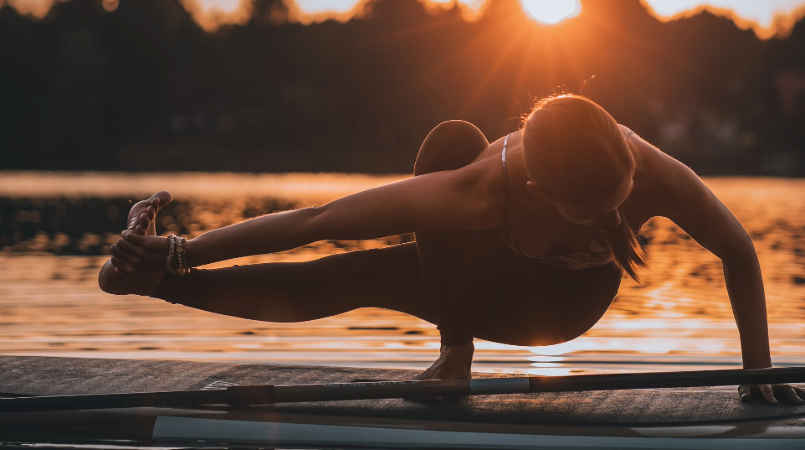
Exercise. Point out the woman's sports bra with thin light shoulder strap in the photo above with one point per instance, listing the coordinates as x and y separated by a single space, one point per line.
598 253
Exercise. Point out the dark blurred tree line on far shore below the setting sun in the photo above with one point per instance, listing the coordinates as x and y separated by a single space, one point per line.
144 88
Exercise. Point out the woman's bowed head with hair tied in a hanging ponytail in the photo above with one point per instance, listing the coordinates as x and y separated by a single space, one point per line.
578 159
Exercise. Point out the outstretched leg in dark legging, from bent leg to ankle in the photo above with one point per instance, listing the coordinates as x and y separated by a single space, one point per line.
301 291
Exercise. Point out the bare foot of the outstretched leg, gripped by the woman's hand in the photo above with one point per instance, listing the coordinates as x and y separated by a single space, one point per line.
141 220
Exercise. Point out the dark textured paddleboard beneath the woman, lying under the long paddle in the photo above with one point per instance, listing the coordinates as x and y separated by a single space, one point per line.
690 418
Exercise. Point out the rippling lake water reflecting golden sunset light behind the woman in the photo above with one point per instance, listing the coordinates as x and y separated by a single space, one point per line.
55 229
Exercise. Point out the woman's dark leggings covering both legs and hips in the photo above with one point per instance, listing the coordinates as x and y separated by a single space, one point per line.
468 283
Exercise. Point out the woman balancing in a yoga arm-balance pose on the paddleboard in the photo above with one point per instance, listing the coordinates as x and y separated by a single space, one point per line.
523 241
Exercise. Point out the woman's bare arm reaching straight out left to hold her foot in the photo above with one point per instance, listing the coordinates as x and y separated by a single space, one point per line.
463 199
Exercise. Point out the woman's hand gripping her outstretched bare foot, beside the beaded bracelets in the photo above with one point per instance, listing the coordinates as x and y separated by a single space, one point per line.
137 255
